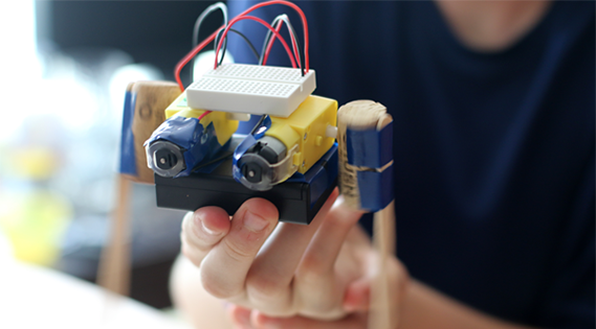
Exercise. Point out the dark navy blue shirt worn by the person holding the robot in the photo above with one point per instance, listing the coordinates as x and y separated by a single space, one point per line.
494 152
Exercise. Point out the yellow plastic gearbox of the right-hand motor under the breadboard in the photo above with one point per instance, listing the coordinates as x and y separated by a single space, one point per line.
306 127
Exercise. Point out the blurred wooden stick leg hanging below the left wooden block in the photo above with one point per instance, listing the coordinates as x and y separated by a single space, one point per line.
114 266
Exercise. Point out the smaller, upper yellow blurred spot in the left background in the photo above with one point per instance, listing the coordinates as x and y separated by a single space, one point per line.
35 163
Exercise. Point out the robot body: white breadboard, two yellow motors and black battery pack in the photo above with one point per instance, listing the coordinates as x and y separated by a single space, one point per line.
289 157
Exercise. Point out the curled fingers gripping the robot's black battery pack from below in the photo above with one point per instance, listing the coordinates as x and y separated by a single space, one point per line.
301 270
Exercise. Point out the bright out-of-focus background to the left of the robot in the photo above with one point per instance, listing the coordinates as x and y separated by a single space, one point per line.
65 68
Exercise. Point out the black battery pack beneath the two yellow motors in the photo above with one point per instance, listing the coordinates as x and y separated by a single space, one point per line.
298 199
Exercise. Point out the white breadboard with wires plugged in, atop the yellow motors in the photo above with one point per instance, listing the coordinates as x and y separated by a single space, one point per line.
254 89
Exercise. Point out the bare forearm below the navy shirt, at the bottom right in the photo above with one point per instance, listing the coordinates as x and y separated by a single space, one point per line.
426 308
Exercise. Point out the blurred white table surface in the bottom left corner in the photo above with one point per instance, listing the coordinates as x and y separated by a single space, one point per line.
37 297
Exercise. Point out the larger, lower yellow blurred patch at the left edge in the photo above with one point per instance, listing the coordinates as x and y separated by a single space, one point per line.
34 223
